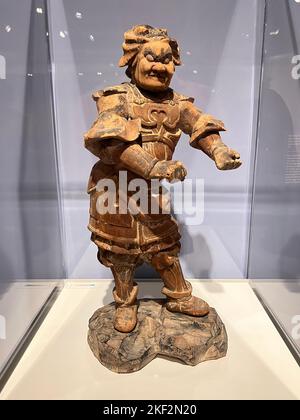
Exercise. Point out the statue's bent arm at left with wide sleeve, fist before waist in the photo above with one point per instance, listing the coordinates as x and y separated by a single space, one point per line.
114 138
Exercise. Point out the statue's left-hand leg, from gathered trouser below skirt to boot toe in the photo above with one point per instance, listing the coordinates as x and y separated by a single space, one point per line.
125 291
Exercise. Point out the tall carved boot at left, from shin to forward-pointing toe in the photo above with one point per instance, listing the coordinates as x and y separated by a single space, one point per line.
125 294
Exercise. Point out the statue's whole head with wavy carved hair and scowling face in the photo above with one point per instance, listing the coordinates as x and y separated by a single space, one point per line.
150 56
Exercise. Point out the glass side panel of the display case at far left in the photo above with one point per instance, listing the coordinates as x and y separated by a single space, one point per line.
31 242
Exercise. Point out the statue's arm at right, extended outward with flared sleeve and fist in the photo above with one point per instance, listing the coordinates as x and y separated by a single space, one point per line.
204 131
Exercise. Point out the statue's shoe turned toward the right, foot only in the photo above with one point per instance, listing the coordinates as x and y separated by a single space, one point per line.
190 305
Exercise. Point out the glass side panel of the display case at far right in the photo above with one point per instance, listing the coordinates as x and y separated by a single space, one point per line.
274 231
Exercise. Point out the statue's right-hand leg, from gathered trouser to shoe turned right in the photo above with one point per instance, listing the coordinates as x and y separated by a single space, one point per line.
176 288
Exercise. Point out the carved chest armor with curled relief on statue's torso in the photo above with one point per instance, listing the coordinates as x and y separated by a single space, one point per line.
159 121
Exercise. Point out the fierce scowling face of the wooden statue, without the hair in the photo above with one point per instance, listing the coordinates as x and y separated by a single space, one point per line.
154 67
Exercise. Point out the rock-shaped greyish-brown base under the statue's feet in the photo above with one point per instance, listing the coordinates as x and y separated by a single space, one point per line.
158 332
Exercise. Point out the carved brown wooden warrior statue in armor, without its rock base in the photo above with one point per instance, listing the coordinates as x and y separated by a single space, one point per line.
138 126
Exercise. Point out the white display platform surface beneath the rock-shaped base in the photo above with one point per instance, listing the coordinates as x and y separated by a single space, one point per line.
59 364
